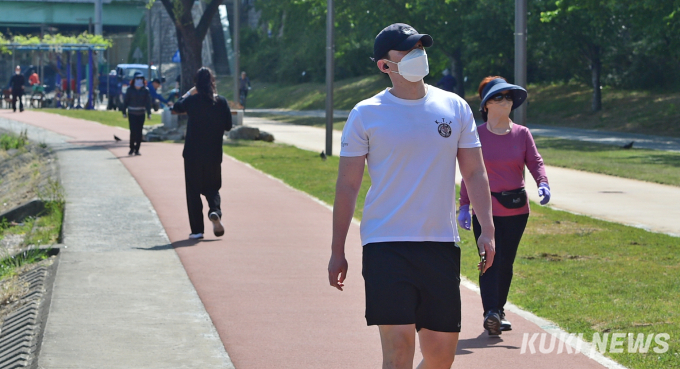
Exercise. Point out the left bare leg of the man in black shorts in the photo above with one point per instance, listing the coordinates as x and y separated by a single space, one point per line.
398 345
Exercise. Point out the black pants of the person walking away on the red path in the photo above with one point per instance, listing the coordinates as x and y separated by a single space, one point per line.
202 179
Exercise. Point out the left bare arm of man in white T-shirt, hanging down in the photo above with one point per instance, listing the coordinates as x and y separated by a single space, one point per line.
350 174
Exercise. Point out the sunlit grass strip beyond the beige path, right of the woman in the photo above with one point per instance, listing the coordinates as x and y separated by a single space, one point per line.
645 165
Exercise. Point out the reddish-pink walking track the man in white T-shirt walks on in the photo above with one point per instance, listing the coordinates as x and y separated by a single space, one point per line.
264 284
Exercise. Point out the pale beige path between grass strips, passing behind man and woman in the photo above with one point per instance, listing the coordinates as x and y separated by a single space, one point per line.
641 204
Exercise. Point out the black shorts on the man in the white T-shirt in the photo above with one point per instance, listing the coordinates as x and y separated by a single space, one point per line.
413 283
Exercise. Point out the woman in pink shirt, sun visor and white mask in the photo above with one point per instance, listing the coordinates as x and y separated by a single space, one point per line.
507 148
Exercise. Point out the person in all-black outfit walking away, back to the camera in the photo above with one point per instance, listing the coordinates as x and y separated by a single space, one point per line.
209 118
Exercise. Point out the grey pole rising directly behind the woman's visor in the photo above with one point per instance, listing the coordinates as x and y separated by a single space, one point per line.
520 115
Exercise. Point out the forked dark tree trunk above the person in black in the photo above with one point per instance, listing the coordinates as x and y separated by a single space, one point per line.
189 36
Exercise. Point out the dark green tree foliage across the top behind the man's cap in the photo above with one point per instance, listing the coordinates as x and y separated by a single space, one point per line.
622 43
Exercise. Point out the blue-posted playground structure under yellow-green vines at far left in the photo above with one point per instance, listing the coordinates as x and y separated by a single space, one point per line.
71 95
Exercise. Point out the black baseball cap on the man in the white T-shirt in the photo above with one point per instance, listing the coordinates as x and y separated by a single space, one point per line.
398 36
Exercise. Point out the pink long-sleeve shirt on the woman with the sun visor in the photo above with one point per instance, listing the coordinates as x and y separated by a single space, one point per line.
504 158
